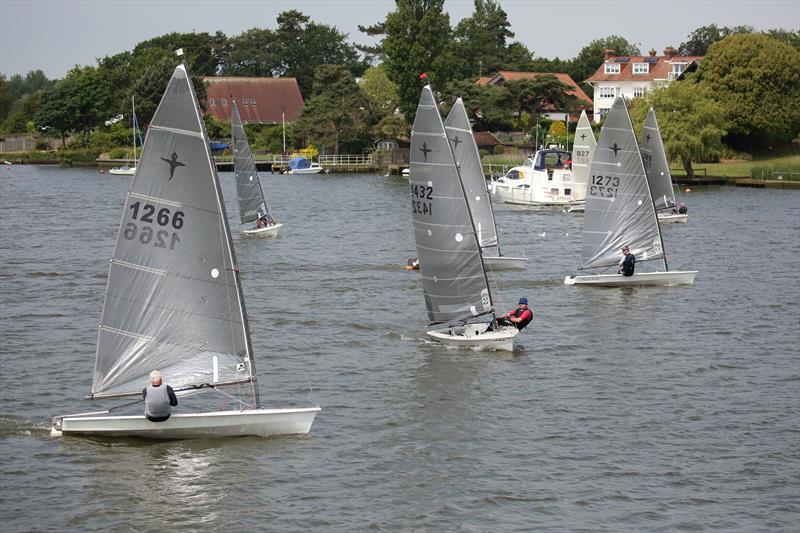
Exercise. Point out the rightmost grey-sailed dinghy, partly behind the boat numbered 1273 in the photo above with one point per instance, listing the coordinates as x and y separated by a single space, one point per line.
655 164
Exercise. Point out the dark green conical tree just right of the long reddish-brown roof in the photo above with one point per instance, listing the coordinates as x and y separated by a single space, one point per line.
337 112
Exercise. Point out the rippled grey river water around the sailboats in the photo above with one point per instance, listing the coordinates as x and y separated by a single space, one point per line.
642 409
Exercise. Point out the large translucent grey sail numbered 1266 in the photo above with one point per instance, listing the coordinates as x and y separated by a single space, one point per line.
173 300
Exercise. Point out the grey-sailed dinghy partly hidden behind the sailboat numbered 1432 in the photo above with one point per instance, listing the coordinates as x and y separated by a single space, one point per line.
468 160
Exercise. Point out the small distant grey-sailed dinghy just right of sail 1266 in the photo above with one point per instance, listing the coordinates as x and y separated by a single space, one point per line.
252 202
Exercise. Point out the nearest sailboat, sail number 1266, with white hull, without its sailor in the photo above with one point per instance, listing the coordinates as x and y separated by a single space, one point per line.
174 299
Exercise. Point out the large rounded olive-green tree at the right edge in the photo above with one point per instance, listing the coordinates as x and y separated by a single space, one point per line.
754 79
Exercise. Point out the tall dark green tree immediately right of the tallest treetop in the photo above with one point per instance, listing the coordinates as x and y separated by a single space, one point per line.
480 40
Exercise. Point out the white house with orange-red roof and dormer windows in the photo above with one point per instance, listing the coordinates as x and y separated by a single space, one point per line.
631 77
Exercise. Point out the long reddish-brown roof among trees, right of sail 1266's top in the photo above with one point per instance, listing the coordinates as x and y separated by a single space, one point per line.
258 99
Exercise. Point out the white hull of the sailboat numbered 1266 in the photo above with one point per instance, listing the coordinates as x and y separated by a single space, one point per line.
253 422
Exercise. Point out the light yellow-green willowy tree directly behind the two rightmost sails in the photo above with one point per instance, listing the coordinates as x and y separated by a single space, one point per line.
691 122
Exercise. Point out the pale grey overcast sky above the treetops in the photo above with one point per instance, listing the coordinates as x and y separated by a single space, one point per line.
55 35
